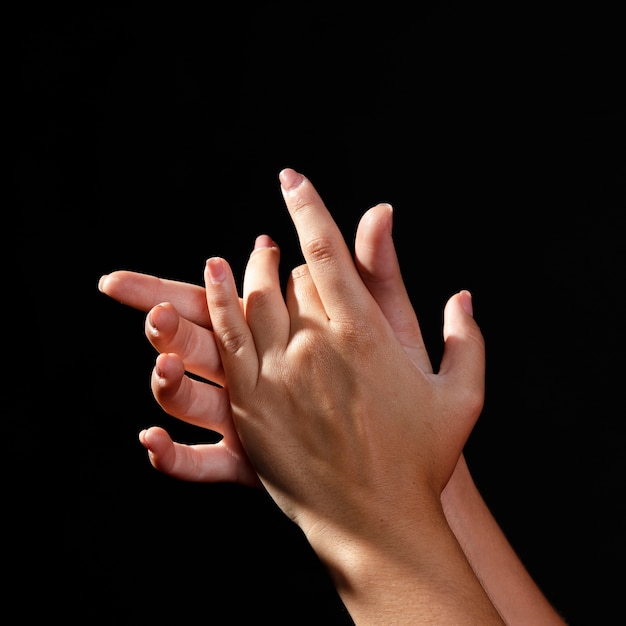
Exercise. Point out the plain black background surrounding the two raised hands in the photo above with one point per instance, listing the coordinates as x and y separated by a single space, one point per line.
151 139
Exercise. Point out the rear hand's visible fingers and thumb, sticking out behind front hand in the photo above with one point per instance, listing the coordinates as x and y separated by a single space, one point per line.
184 328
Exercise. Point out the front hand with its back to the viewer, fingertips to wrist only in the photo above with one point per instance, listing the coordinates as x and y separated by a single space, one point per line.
322 375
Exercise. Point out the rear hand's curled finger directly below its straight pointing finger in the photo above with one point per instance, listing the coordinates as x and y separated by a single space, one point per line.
167 331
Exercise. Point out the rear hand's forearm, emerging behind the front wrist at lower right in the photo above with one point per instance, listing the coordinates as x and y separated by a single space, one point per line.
504 577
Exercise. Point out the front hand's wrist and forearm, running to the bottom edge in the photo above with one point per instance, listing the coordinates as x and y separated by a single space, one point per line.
409 571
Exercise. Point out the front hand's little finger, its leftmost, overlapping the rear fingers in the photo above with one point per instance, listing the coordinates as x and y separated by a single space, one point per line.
232 334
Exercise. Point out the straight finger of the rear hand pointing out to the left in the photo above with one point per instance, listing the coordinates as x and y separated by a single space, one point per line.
143 291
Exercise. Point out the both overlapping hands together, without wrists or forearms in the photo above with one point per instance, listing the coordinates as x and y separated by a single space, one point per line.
327 394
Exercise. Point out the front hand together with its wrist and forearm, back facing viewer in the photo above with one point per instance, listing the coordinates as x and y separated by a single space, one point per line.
352 439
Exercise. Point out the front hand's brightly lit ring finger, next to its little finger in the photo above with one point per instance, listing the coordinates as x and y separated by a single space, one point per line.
265 309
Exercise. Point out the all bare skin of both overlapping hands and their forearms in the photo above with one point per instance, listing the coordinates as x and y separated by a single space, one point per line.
376 294
